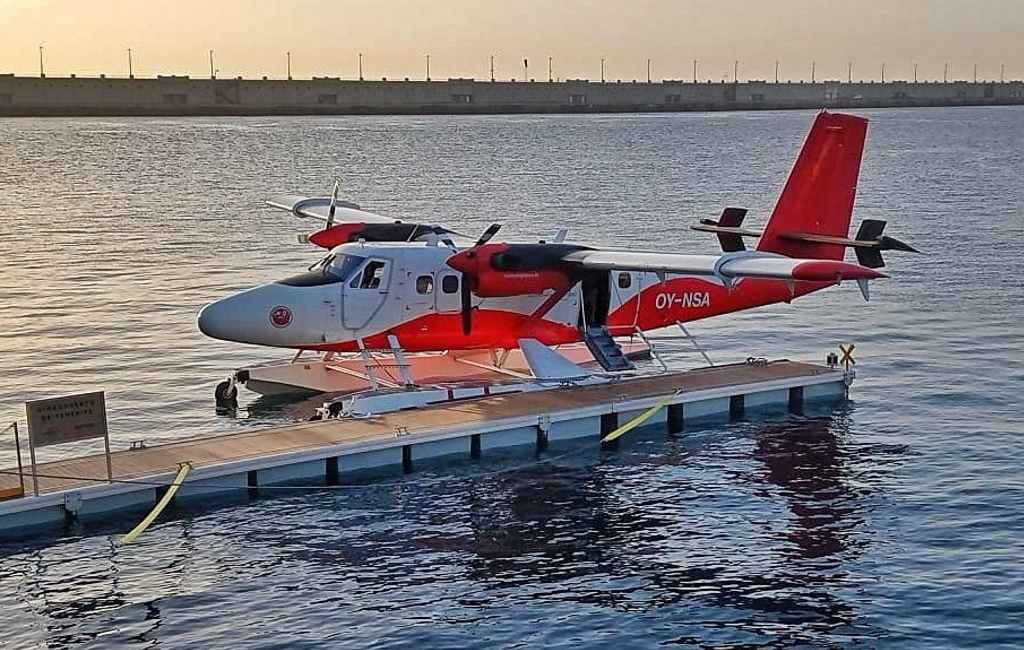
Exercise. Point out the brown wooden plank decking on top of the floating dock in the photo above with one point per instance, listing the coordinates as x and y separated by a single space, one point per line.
209 451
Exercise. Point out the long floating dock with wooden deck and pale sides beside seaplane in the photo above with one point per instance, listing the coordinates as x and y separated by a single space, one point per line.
339 452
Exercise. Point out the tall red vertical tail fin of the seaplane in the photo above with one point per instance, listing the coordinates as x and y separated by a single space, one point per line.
819 196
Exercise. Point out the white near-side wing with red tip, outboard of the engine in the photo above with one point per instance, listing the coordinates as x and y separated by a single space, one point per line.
729 267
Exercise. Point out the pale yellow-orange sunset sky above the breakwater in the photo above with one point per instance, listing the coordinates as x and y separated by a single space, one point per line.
250 37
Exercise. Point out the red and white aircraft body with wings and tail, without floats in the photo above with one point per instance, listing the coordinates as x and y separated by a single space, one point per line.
385 278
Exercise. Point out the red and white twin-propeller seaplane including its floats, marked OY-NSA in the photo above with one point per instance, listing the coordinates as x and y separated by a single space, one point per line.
396 306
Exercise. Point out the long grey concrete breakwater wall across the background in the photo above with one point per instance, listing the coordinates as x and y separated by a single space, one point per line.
177 96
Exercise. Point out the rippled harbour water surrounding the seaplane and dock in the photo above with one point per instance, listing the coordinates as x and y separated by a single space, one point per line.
895 521
